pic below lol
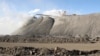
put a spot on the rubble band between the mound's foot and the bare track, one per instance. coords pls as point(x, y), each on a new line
point(47, 39)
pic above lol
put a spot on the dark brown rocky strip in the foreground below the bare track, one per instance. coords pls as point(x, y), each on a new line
point(31, 51)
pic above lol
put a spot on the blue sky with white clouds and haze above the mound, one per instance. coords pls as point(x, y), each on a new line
point(13, 13)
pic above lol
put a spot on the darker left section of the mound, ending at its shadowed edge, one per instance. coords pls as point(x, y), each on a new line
point(40, 26)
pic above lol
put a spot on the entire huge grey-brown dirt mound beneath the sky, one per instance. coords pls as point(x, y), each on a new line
point(75, 25)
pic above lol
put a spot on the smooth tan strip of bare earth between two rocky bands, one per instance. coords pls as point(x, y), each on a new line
point(68, 46)
